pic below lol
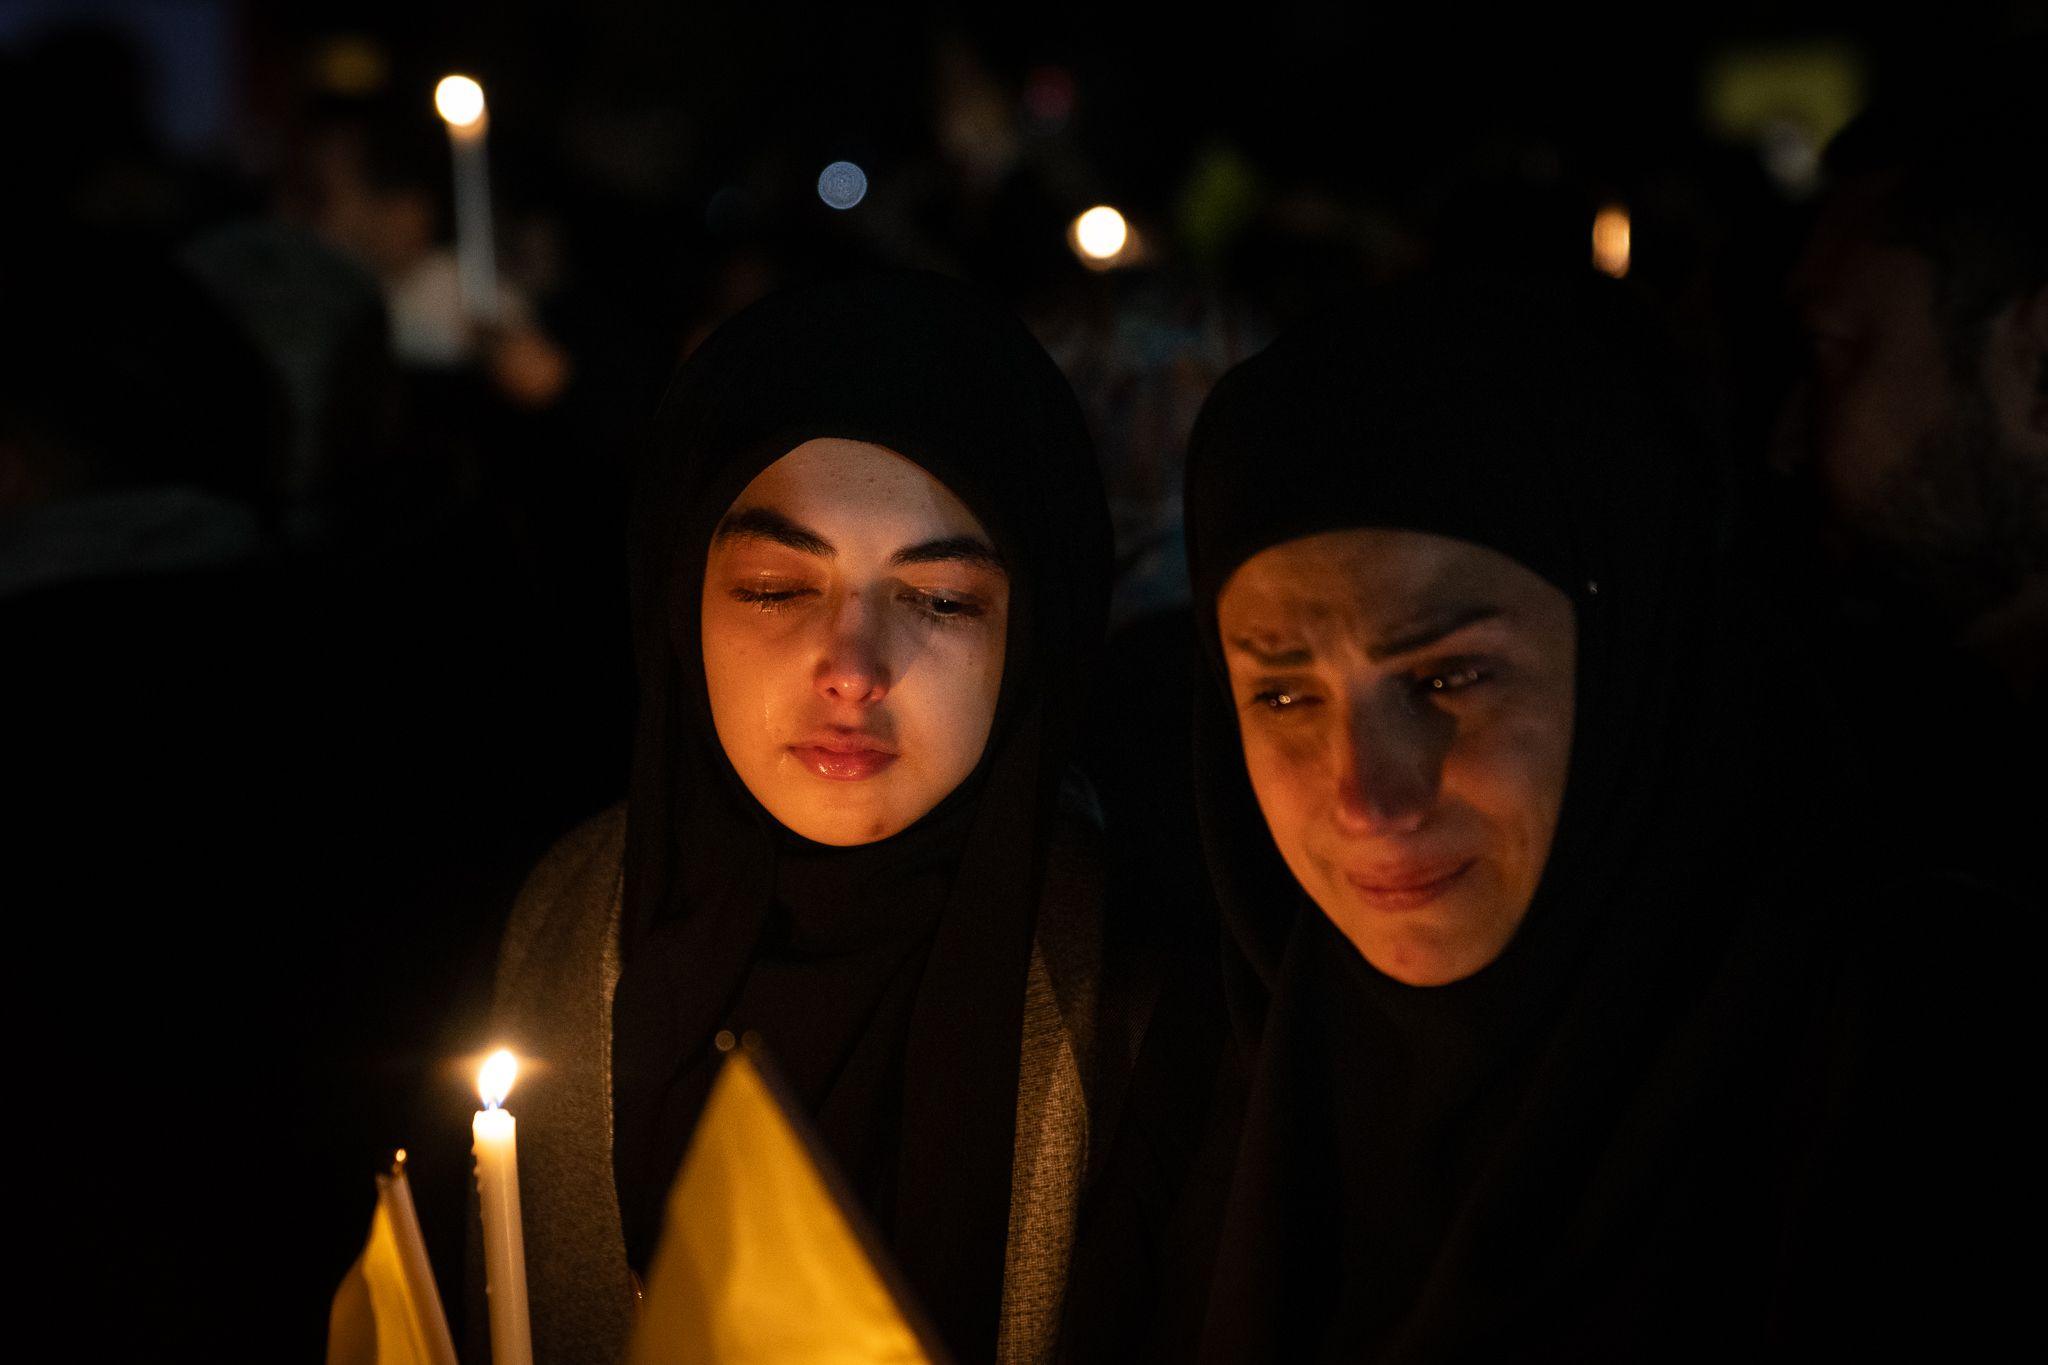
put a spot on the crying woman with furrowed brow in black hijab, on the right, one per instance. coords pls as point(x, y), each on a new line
point(1558, 1037)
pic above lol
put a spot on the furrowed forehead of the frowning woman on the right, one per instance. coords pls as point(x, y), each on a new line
point(1373, 578)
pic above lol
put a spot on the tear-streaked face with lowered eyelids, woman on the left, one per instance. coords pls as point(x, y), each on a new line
point(853, 625)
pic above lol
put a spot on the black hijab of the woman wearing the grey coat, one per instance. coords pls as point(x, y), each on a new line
point(892, 975)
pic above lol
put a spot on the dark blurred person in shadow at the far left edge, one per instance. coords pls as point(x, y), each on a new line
point(161, 932)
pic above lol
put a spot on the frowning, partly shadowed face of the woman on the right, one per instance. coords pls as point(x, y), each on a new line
point(1406, 705)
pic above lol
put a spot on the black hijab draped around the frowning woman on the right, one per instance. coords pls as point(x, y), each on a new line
point(1566, 1153)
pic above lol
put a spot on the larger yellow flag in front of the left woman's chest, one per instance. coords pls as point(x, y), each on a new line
point(757, 1260)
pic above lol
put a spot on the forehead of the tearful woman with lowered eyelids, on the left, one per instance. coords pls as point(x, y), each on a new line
point(843, 486)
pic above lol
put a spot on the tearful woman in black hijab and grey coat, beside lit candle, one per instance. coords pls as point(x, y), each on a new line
point(820, 846)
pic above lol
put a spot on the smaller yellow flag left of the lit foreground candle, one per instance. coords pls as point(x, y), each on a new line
point(388, 1311)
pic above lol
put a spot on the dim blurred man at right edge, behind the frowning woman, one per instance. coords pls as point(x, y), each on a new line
point(1922, 439)
